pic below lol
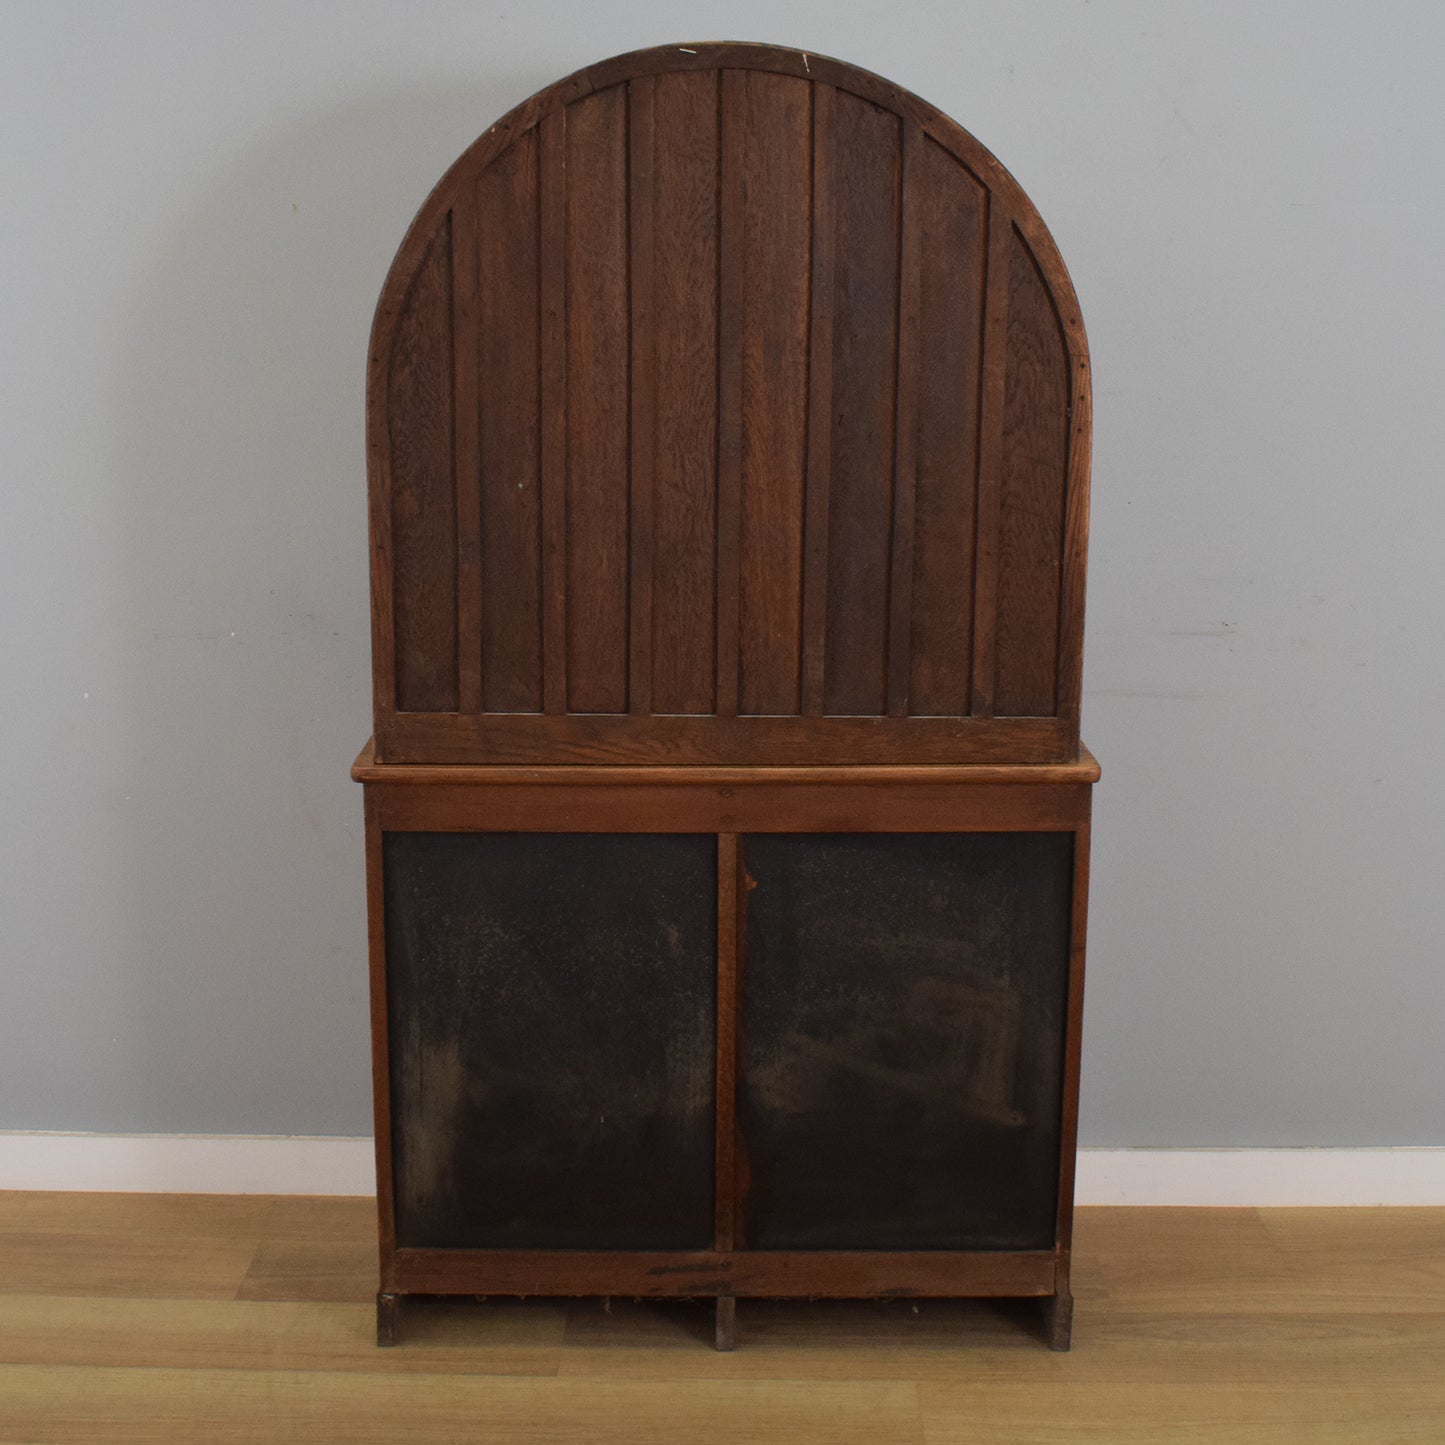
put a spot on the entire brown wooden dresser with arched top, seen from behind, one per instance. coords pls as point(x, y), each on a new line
point(726, 814)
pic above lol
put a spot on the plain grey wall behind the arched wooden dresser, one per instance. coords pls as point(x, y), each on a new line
point(200, 207)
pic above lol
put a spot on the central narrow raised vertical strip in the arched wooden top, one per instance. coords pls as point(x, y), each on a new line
point(733, 99)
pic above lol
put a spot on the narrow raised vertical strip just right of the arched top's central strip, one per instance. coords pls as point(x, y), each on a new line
point(820, 404)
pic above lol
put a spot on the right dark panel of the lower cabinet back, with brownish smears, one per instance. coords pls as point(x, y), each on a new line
point(902, 1022)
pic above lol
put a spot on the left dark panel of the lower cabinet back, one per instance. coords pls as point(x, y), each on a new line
point(551, 1017)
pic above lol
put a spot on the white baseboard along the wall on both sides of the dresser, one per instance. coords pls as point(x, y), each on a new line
point(242, 1164)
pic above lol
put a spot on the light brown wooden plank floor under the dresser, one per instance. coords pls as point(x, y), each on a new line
point(219, 1319)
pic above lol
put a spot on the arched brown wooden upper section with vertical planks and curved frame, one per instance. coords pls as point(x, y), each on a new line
point(728, 405)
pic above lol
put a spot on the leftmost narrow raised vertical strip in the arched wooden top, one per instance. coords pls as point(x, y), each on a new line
point(467, 449)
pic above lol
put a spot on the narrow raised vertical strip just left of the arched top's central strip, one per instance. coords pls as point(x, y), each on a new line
point(642, 385)
